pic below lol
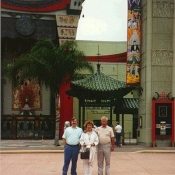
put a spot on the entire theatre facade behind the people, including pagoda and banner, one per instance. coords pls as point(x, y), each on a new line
point(133, 82)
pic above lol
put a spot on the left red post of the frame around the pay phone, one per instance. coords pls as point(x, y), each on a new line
point(153, 124)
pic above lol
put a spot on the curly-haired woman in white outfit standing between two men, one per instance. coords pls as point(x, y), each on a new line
point(89, 140)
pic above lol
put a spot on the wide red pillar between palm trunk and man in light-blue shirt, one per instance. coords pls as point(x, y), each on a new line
point(66, 107)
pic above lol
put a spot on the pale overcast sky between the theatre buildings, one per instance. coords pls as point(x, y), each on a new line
point(104, 20)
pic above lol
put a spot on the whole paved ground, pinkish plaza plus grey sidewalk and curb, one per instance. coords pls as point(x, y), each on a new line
point(43, 158)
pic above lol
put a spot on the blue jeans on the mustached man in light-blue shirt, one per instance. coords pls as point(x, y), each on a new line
point(70, 154)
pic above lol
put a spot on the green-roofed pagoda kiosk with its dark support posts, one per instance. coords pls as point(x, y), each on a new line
point(98, 90)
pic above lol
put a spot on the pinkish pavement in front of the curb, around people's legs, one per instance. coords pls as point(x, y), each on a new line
point(122, 163)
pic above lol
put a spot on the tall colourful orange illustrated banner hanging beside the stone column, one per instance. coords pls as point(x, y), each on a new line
point(133, 42)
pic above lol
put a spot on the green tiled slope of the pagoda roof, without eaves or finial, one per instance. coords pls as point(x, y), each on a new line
point(99, 82)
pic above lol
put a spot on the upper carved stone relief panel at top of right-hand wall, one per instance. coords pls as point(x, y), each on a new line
point(163, 9)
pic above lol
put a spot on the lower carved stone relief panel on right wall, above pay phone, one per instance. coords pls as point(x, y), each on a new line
point(162, 57)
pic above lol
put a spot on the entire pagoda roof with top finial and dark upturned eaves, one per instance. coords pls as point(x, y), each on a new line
point(99, 86)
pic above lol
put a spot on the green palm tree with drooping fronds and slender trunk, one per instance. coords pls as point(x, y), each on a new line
point(52, 65)
